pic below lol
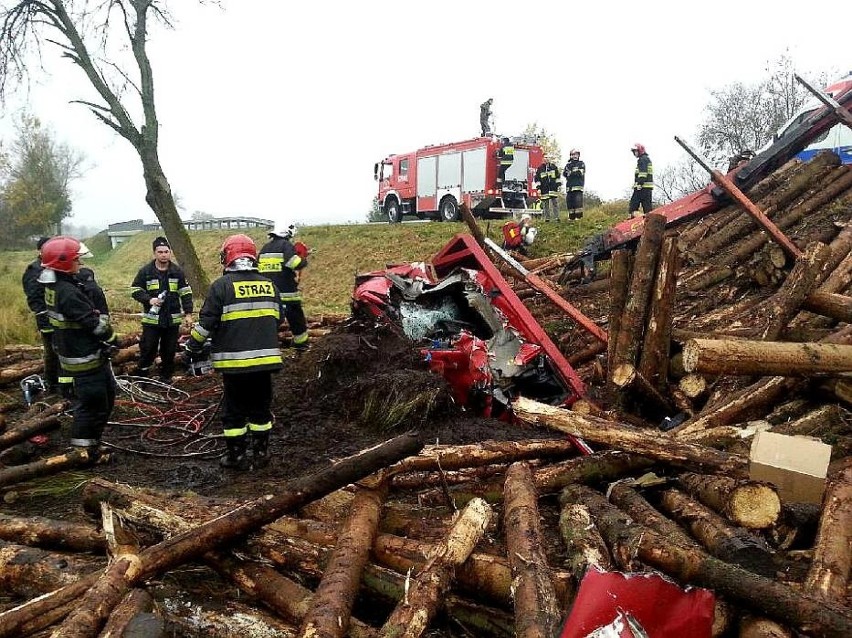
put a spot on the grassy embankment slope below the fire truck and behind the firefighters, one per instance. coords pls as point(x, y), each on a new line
point(339, 253)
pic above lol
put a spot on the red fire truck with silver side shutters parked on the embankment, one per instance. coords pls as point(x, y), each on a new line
point(433, 181)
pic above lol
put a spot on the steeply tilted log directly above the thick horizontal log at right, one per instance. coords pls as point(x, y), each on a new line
point(807, 274)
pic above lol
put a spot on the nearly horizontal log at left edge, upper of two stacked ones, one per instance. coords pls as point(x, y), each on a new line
point(38, 531)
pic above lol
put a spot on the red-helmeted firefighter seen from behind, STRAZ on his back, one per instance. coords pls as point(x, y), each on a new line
point(241, 316)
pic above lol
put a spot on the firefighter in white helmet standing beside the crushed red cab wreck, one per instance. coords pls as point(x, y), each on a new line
point(282, 262)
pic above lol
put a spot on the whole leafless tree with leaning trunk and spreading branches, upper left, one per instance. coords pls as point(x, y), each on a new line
point(93, 35)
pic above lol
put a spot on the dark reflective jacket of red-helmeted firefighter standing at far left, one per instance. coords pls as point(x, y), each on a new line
point(78, 327)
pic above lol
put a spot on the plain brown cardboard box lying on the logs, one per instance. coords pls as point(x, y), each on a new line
point(796, 465)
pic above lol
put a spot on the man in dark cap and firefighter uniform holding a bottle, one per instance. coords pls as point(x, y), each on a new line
point(160, 286)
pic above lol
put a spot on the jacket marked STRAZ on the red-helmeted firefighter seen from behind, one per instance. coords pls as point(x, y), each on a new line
point(241, 316)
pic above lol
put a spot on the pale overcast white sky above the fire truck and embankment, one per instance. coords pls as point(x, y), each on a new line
point(280, 109)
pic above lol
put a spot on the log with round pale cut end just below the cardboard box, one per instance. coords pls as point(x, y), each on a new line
point(746, 503)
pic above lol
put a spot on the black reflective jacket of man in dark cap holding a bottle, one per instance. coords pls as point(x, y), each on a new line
point(151, 282)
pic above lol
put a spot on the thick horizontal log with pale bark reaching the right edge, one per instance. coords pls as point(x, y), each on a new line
point(766, 358)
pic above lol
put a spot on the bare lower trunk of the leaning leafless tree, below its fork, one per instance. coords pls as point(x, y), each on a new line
point(159, 197)
